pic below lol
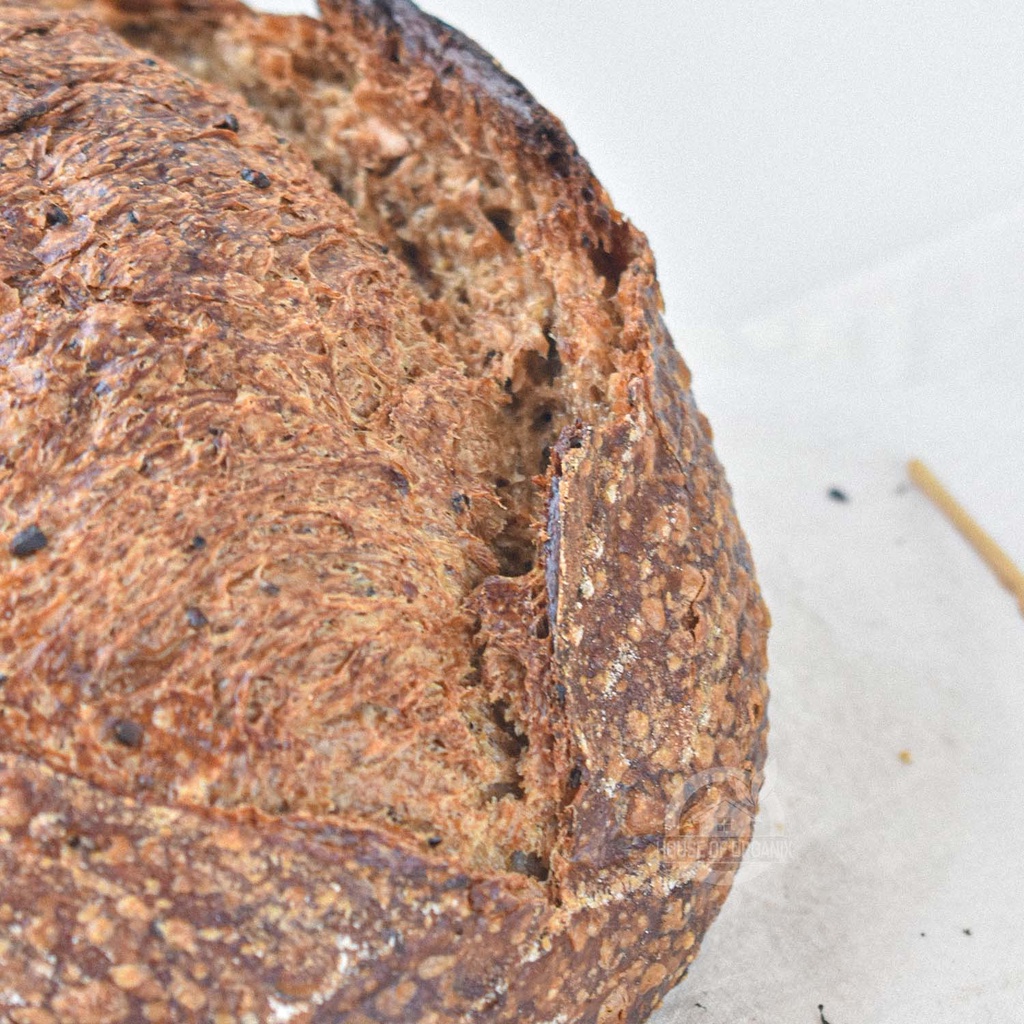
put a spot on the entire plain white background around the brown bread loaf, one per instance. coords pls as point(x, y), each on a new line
point(835, 192)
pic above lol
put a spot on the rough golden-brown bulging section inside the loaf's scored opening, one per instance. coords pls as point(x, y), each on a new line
point(241, 365)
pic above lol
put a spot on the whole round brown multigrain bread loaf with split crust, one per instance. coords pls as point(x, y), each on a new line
point(377, 638)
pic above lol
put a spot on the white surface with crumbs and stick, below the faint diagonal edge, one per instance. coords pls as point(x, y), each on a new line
point(889, 635)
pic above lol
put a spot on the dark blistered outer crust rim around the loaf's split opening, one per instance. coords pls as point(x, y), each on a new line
point(118, 908)
